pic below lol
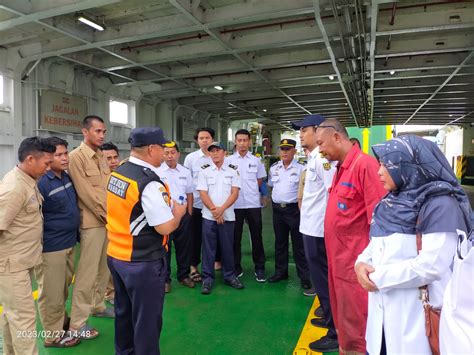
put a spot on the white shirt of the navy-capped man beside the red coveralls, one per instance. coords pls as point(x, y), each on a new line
point(319, 176)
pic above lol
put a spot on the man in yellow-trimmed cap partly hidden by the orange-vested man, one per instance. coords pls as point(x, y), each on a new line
point(180, 182)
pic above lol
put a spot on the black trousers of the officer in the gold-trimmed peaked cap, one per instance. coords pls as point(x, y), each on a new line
point(286, 220)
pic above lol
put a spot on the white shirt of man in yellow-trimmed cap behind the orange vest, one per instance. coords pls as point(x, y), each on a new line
point(179, 180)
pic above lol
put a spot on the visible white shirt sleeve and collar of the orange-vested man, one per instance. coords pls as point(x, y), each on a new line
point(154, 205)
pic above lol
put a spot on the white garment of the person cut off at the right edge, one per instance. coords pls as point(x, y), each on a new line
point(457, 315)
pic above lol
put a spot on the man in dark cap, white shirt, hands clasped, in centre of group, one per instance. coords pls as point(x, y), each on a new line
point(218, 185)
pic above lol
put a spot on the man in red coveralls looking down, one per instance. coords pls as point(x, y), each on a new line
point(355, 191)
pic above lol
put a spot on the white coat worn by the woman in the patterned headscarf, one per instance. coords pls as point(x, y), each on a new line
point(399, 271)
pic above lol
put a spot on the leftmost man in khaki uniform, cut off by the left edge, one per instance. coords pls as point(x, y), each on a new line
point(21, 228)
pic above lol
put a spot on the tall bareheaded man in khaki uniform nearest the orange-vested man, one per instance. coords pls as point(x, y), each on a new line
point(89, 172)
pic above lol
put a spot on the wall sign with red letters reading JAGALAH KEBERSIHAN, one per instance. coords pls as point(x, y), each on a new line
point(61, 112)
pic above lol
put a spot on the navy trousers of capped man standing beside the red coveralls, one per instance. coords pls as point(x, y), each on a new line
point(317, 259)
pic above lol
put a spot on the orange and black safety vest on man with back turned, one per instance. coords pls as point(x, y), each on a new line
point(130, 236)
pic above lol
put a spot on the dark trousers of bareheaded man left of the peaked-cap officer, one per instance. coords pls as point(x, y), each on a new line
point(253, 216)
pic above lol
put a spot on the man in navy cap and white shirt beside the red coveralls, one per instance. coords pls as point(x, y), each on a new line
point(319, 175)
